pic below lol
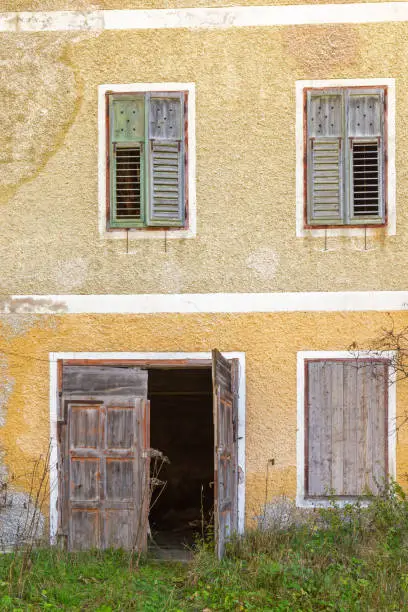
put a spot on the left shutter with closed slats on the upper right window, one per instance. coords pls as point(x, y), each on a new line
point(325, 167)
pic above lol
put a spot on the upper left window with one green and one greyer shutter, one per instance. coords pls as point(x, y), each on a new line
point(147, 157)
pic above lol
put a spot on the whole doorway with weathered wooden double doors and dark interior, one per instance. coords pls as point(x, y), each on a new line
point(116, 390)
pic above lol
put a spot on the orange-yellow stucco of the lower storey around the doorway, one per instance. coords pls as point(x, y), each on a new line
point(270, 341)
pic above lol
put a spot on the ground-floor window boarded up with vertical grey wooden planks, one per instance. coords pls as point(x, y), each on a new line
point(345, 427)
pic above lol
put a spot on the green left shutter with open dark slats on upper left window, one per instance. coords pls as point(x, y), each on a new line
point(127, 160)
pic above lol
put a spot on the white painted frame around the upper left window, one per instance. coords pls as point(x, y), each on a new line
point(141, 233)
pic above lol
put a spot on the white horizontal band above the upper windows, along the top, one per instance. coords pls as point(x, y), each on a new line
point(228, 17)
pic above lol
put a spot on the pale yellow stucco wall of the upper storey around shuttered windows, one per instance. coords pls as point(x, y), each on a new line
point(245, 85)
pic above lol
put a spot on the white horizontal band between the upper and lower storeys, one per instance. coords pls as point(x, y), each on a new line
point(190, 303)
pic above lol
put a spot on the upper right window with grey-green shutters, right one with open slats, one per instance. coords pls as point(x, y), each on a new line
point(346, 156)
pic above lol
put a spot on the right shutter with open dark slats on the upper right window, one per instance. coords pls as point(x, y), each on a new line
point(365, 130)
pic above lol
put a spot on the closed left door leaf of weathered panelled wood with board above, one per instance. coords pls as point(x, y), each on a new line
point(102, 460)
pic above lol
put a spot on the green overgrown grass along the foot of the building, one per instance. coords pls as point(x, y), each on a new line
point(336, 559)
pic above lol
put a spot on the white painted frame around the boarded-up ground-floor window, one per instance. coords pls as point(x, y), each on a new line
point(302, 356)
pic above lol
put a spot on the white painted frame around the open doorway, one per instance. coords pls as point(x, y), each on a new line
point(115, 356)
